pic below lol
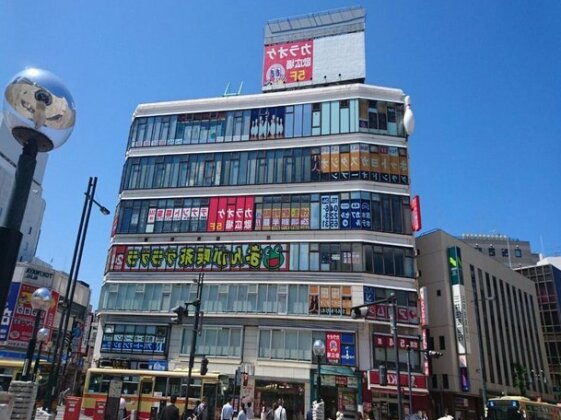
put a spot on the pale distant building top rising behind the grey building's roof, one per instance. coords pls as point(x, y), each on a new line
point(512, 252)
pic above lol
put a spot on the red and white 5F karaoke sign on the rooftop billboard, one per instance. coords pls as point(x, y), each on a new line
point(288, 64)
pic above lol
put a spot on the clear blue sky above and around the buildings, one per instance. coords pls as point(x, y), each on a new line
point(484, 78)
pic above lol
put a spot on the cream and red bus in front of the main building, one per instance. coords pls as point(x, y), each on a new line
point(147, 391)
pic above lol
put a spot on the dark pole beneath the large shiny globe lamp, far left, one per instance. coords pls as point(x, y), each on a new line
point(10, 235)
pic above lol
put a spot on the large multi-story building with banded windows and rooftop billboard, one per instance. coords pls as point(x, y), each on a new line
point(295, 204)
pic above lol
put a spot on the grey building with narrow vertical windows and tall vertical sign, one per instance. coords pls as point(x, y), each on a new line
point(484, 318)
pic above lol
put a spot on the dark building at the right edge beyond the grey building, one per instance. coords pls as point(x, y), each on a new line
point(547, 278)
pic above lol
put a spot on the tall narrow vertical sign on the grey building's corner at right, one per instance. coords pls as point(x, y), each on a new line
point(455, 268)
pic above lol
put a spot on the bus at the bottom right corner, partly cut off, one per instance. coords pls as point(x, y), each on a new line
point(521, 408)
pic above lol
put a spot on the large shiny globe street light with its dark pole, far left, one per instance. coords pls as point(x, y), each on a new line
point(40, 113)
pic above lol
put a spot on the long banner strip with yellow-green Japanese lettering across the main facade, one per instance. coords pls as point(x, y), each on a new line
point(187, 257)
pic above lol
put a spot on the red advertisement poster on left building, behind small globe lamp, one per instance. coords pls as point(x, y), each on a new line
point(23, 321)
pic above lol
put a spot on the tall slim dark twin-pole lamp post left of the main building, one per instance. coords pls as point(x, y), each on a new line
point(89, 200)
